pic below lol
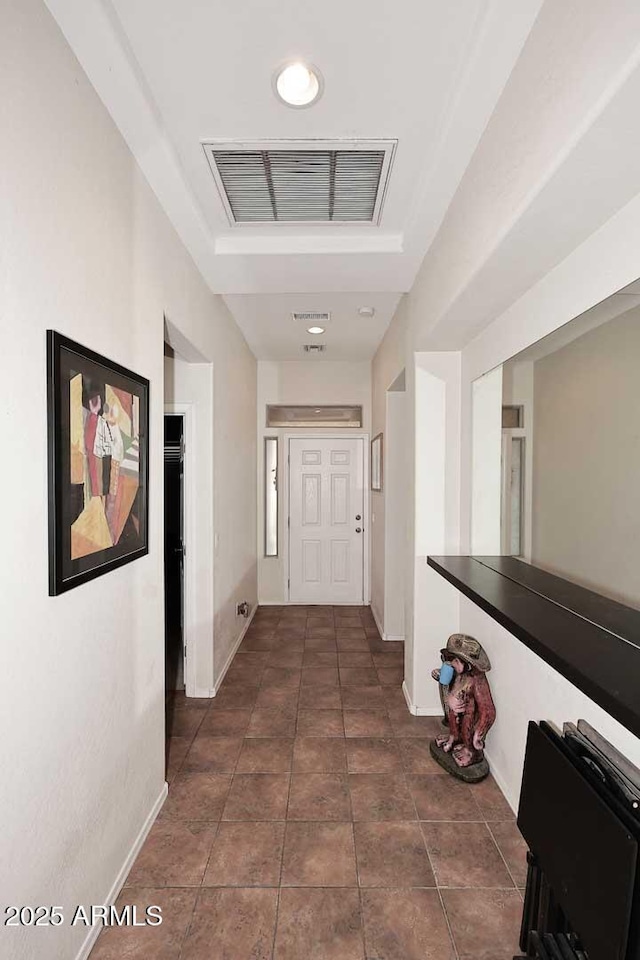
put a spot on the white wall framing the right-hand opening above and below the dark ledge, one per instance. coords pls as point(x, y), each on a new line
point(524, 686)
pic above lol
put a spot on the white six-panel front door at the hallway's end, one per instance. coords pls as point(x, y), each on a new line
point(326, 520)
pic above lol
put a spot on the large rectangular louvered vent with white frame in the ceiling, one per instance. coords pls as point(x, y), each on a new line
point(301, 181)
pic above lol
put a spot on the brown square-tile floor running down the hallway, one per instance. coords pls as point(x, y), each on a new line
point(306, 819)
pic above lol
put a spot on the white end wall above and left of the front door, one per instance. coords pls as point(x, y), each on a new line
point(304, 382)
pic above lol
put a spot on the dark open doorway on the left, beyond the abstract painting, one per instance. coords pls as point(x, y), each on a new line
point(174, 552)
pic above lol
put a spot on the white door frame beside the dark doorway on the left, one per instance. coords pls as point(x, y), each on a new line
point(186, 411)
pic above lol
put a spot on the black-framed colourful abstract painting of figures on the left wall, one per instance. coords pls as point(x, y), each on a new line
point(98, 451)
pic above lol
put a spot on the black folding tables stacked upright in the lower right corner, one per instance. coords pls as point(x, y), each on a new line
point(583, 886)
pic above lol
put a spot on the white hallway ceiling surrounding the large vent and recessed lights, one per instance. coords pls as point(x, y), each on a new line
point(175, 73)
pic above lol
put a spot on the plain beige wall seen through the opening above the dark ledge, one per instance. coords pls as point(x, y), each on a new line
point(586, 460)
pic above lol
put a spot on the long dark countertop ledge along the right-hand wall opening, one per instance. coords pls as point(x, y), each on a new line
point(592, 641)
